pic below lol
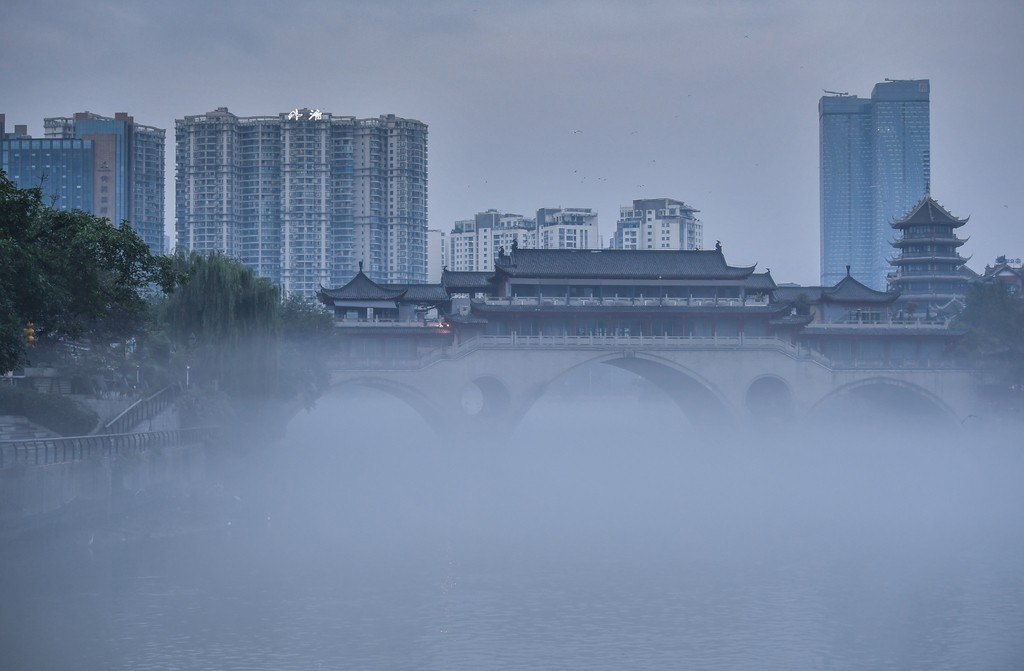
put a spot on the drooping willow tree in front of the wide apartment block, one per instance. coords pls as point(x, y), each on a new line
point(223, 324)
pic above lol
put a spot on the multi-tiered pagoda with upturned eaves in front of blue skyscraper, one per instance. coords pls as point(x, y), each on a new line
point(930, 273)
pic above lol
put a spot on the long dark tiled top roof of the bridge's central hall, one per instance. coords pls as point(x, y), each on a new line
point(620, 265)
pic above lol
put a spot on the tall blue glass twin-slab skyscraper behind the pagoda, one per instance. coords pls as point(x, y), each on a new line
point(876, 165)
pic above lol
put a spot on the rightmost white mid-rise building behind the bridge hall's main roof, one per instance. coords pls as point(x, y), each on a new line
point(658, 224)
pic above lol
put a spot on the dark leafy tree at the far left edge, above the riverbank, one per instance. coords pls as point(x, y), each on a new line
point(69, 273)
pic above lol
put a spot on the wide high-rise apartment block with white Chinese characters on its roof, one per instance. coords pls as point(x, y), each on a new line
point(306, 198)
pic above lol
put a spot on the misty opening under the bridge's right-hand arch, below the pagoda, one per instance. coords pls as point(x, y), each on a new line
point(884, 400)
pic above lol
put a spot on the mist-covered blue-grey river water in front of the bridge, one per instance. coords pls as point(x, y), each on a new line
point(600, 536)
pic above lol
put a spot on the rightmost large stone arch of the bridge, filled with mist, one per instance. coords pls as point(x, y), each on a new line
point(883, 396)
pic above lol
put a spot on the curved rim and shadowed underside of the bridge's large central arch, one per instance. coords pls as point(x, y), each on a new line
point(697, 398)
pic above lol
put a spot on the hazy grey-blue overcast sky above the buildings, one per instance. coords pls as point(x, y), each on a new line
point(567, 103)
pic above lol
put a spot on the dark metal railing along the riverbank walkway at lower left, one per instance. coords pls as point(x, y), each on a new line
point(42, 452)
